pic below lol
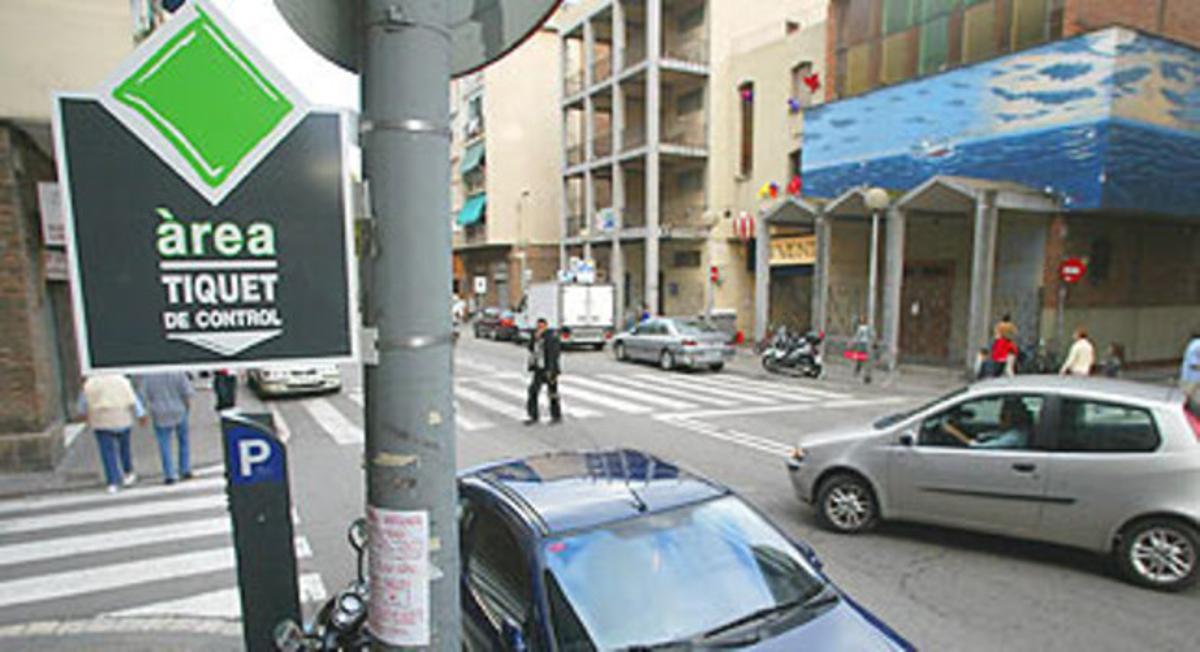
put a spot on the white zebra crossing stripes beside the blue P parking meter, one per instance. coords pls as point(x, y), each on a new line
point(69, 547)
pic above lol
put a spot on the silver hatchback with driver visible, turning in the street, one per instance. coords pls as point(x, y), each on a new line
point(1111, 466)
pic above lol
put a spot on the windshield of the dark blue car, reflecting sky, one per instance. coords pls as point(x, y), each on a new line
point(670, 576)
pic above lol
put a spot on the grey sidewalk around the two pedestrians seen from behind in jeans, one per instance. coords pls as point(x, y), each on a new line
point(81, 468)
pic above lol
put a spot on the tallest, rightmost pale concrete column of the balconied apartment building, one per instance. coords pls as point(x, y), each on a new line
point(653, 129)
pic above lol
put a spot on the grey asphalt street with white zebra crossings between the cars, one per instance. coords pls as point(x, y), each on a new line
point(157, 561)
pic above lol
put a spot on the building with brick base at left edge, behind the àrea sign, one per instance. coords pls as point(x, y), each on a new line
point(45, 46)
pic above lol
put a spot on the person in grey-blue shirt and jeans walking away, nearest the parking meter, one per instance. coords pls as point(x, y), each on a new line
point(169, 397)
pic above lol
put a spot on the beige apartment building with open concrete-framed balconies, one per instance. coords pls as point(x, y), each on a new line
point(651, 174)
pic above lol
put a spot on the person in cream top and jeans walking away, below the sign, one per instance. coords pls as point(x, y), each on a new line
point(111, 406)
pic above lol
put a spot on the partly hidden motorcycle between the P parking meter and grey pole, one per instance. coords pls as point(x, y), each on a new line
point(341, 624)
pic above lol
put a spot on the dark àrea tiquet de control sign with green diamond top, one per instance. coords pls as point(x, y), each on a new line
point(207, 210)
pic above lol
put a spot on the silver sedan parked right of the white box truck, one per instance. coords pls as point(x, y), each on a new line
point(675, 343)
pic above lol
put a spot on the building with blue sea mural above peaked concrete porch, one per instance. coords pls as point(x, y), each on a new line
point(1010, 136)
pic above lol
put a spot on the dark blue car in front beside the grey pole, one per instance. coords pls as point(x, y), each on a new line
point(621, 551)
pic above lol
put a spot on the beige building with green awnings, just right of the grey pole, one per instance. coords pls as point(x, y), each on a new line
point(505, 189)
